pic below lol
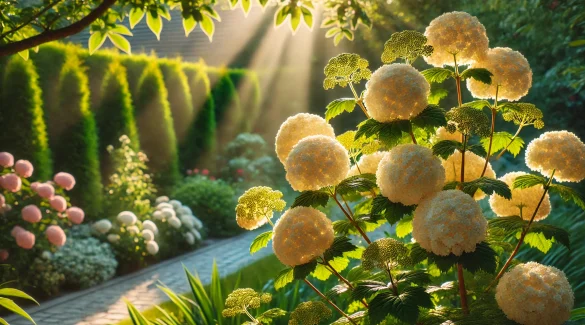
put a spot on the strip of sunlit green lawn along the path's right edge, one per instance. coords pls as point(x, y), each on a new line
point(254, 275)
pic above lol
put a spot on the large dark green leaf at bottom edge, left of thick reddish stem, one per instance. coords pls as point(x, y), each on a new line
point(404, 307)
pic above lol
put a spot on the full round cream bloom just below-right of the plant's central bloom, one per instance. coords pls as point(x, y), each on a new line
point(450, 222)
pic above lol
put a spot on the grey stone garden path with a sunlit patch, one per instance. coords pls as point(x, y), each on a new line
point(104, 304)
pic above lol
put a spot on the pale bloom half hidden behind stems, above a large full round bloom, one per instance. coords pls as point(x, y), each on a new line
point(473, 168)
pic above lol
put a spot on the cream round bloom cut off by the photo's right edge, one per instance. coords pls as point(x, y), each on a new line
point(559, 150)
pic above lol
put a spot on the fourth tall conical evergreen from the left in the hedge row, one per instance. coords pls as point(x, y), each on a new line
point(155, 127)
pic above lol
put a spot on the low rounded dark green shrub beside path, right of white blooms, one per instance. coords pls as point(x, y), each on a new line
point(212, 201)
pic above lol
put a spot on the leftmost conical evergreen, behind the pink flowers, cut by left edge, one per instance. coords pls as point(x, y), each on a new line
point(22, 127)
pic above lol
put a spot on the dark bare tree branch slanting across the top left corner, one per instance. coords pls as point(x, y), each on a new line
point(57, 34)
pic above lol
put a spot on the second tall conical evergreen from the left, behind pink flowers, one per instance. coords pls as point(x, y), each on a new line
point(76, 142)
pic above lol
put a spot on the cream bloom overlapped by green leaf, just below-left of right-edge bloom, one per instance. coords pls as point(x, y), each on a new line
point(523, 202)
